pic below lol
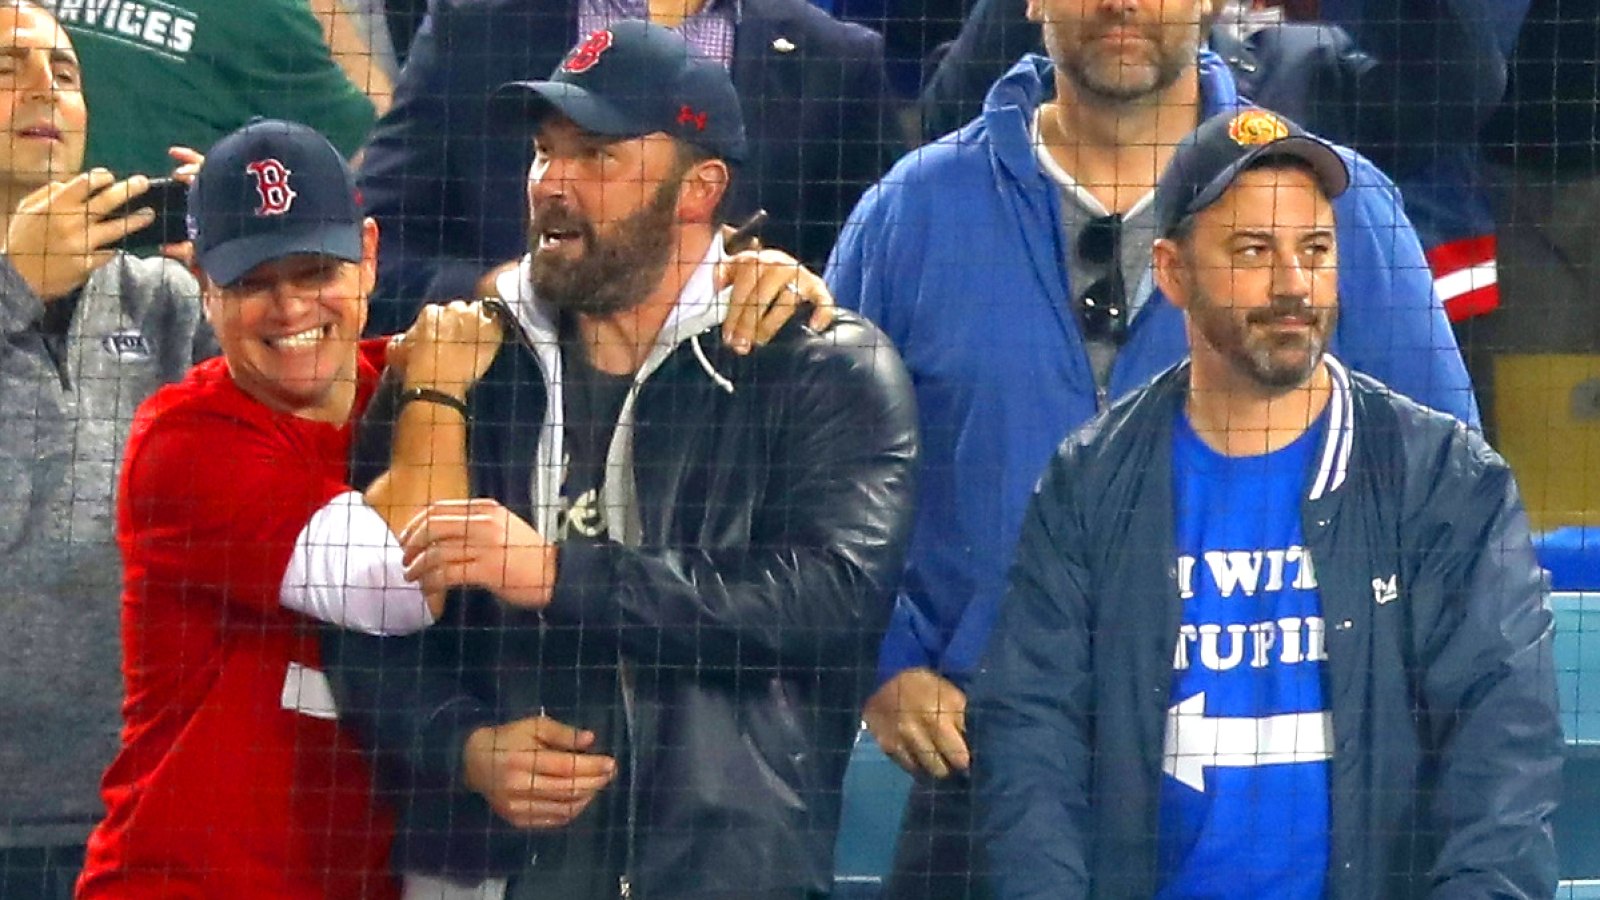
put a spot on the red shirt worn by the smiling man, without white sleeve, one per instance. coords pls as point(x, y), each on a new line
point(223, 787)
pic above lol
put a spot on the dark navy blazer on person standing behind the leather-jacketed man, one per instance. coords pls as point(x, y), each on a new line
point(447, 185)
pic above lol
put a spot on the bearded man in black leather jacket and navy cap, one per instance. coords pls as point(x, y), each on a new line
point(668, 598)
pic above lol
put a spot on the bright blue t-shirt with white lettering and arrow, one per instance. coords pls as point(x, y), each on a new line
point(1244, 808)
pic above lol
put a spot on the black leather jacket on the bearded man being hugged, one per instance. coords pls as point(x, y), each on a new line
point(730, 635)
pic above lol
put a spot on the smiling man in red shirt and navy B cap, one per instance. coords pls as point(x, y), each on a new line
point(234, 776)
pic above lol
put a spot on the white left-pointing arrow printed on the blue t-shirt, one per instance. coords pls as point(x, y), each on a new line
point(1196, 741)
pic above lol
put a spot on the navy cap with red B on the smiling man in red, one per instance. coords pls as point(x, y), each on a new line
point(268, 191)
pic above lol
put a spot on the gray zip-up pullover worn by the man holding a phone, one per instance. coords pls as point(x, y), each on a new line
point(63, 422)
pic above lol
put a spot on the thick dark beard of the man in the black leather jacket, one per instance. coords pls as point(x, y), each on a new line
point(614, 275)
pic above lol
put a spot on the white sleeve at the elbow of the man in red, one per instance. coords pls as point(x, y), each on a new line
point(348, 571)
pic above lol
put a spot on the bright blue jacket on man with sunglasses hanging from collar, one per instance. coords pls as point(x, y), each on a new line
point(959, 257)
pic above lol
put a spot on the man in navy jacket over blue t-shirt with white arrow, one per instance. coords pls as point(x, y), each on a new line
point(1177, 702)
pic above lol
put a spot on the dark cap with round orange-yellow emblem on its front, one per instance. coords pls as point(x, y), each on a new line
point(1210, 159)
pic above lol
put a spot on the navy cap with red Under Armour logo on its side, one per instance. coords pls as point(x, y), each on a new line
point(634, 79)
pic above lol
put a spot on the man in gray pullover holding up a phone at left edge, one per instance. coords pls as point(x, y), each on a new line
point(86, 335)
